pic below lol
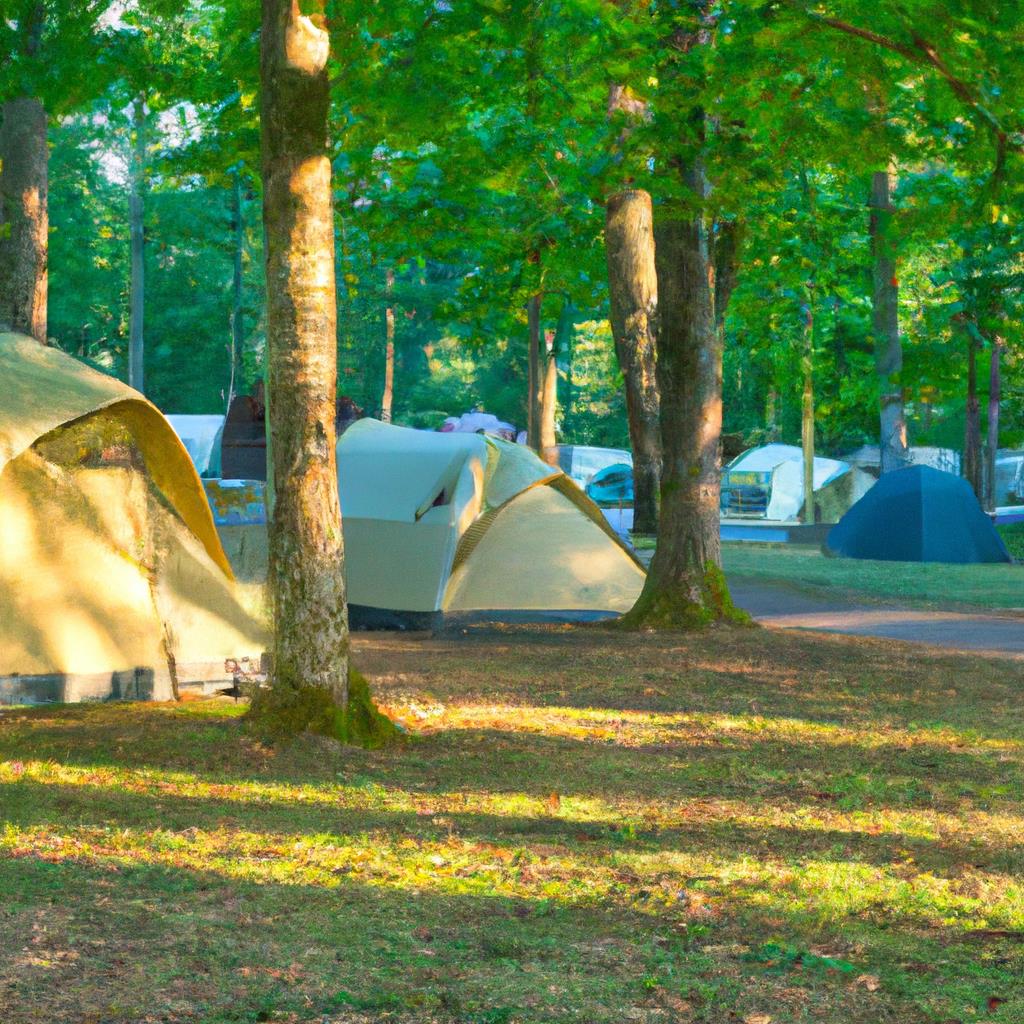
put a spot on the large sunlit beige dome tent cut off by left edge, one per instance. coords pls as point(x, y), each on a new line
point(112, 576)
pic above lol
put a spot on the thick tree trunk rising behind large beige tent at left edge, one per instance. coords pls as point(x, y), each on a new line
point(24, 217)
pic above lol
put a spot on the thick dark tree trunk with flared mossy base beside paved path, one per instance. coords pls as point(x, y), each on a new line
point(686, 586)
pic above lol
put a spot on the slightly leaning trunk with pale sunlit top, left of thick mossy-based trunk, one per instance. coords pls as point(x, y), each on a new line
point(629, 246)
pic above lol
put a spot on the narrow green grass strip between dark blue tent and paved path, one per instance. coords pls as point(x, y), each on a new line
point(994, 586)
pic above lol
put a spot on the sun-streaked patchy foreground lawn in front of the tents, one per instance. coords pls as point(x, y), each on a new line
point(743, 826)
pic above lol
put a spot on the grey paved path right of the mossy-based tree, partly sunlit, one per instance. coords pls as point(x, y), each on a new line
point(790, 608)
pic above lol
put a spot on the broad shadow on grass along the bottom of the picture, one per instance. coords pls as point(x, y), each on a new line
point(120, 943)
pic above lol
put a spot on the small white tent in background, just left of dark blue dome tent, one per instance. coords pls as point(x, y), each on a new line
point(769, 482)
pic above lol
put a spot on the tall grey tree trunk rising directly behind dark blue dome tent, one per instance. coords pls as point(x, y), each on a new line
point(885, 322)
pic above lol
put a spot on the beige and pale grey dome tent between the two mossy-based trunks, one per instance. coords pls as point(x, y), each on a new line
point(451, 523)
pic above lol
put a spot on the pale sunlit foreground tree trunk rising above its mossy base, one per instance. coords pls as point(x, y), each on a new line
point(308, 572)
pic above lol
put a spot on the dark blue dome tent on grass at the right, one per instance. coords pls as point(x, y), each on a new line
point(919, 515)
